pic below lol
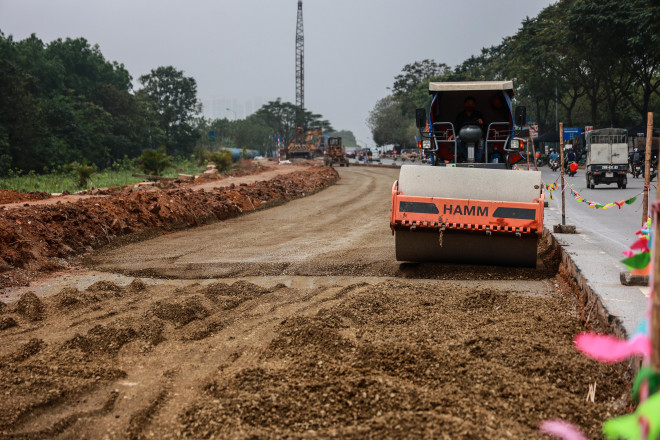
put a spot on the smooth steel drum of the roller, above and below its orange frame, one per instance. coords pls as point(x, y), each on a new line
point(468, 247)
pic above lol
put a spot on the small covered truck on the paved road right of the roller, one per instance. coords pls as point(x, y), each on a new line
point(607, 157)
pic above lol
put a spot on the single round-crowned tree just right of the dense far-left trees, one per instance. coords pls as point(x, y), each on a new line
point(173, 97)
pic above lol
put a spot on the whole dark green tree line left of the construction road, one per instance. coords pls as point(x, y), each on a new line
point(62, 102)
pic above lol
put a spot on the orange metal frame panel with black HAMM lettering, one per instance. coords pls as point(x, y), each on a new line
point(467, 214)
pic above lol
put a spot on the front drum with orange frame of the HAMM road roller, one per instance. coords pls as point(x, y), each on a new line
point(465, 186)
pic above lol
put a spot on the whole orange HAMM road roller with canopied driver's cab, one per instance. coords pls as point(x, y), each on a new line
point(473, 205)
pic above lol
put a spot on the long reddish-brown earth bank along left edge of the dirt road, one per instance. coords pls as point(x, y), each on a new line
point(40, 238)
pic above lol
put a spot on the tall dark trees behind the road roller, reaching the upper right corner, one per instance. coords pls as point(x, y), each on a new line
point(597, 61)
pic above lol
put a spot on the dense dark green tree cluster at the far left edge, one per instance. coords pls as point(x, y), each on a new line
point(64, 102)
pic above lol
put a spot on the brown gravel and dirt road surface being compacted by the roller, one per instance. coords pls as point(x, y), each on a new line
point(296, 322)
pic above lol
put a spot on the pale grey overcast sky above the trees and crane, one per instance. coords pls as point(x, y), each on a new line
point(242, 52)
